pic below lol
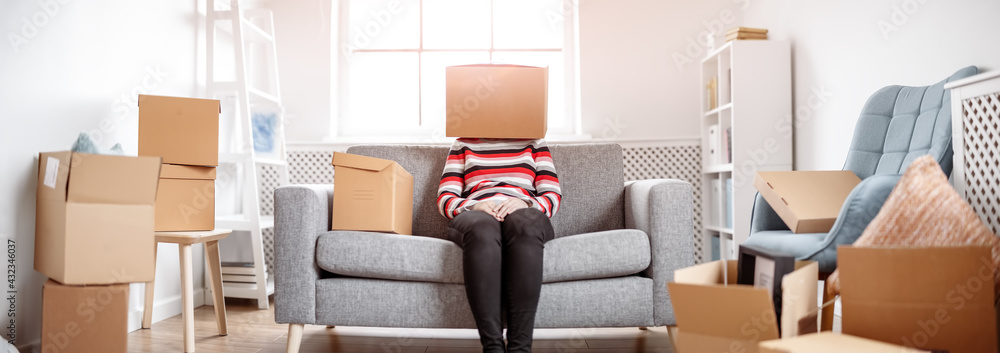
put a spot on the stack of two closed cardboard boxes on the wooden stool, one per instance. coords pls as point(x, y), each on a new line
point(185, 133)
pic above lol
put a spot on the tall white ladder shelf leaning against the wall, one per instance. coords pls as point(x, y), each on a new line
point(251, 31)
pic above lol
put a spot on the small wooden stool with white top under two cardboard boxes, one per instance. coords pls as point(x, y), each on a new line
point(184, 240)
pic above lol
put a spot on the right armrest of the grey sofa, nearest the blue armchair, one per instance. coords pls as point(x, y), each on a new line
point(664, 209)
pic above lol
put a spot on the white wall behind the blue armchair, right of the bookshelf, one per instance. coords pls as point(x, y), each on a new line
point(840, 52)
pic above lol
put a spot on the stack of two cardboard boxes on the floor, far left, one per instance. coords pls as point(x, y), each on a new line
point(93, 233)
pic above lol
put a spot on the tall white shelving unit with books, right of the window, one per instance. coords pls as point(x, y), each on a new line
point(752, 101)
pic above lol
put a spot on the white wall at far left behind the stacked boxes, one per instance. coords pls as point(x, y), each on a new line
point(80, 70)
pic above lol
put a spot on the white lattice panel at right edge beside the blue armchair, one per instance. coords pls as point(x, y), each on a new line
point(981, 156)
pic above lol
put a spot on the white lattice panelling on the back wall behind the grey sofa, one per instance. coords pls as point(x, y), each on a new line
point(659, 162)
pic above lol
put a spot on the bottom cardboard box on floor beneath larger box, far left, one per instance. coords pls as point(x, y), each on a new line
point(84, 319)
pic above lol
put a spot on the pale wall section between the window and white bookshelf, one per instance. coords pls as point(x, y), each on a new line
point(639, 64)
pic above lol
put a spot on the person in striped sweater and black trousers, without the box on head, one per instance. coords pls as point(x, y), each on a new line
point(499, 195)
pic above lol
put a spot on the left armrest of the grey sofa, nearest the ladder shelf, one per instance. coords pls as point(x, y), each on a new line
point(301, 213)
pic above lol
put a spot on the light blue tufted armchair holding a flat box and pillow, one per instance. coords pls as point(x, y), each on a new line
point(897, 125)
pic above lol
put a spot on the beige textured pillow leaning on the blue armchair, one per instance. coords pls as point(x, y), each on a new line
point(924, 210)
